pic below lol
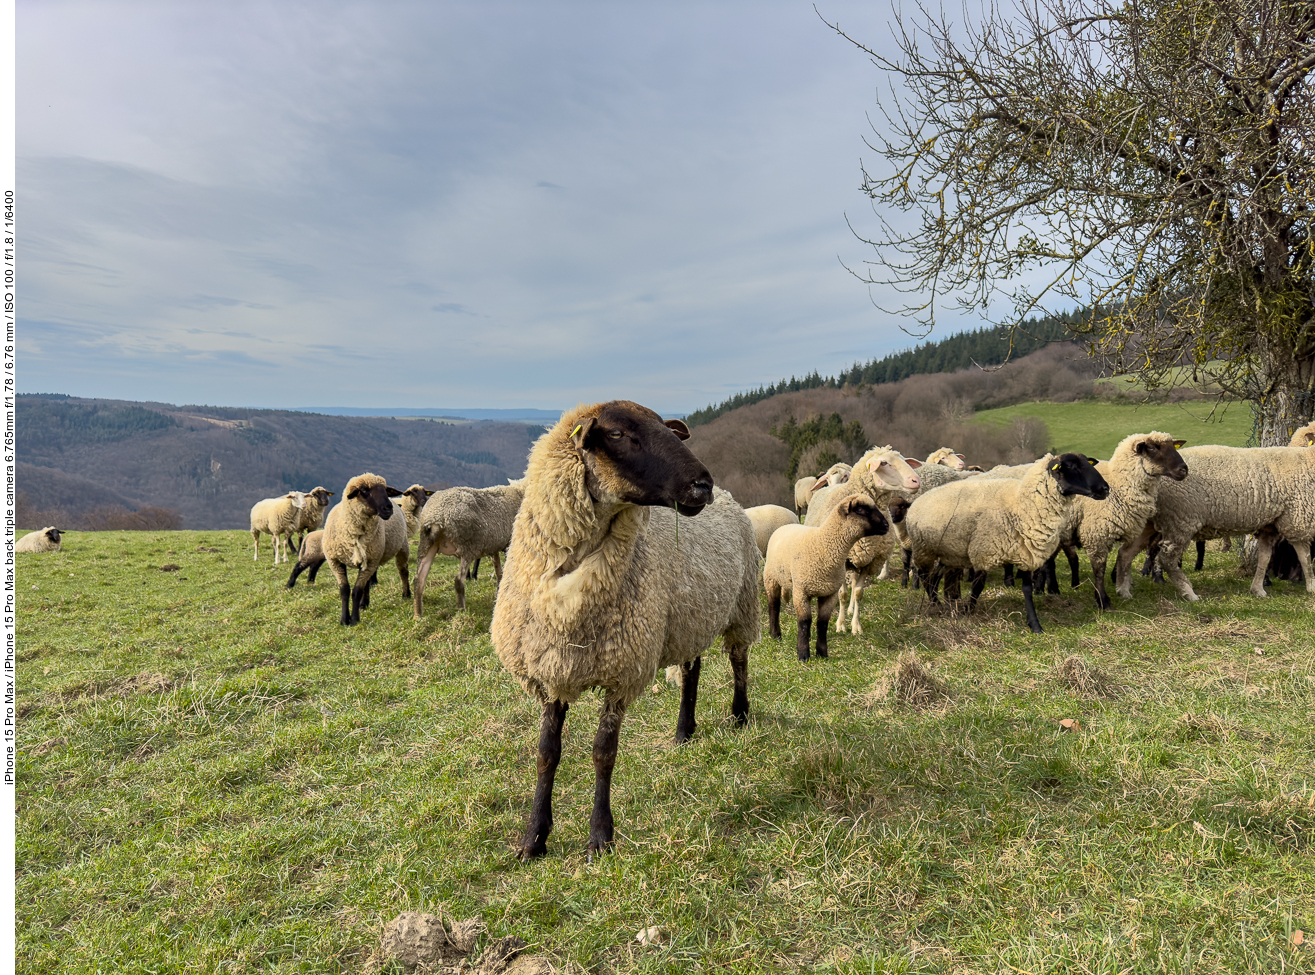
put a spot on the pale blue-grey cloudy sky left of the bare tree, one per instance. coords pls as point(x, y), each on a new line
point(444, 205)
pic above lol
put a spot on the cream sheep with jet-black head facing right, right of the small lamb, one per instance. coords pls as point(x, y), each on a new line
point(982, 523)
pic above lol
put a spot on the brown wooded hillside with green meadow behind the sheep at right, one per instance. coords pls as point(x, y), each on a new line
point(1007, 415)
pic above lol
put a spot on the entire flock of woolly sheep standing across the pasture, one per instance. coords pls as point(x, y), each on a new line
point(611, 577)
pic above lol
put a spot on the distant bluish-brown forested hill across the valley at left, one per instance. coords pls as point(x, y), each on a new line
point(112, 464)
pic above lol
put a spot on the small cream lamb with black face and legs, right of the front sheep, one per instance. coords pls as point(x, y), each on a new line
point(811, 564)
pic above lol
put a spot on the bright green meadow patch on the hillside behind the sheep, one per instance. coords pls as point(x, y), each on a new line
point(1096, 427)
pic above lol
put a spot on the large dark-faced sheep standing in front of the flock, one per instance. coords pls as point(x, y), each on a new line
point(603, 586)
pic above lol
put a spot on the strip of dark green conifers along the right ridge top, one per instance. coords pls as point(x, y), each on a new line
point(987, 347)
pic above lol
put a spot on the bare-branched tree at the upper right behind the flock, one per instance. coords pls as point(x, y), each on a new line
point(1150, 160)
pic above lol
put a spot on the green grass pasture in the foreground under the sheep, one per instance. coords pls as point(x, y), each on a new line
point(216, 777)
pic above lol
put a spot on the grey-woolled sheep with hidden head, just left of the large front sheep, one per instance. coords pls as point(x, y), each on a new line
point(469, 524)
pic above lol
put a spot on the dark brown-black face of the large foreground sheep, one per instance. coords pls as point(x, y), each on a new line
point(633, 456)
